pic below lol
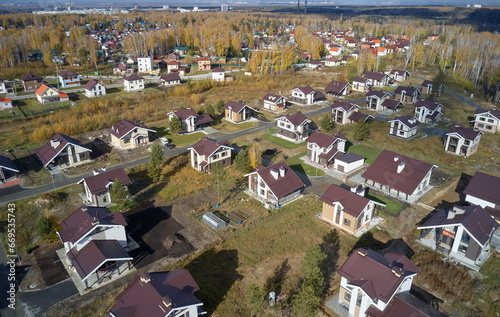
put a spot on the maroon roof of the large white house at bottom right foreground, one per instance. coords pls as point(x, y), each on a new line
point(379, 276)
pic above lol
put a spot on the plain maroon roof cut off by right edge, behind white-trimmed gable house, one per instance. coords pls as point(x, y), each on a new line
point(485, 187)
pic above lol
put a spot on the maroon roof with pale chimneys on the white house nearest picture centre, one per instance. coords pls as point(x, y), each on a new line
point(284, 185)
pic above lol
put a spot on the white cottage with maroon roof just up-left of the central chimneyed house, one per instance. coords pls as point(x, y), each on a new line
point(206, 153)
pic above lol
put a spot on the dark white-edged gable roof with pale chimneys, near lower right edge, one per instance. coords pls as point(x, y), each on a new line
point(479, 223)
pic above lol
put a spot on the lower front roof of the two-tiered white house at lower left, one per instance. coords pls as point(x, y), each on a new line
point(94, 254)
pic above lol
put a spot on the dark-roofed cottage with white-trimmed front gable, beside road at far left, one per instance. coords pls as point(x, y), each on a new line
point(63, 150)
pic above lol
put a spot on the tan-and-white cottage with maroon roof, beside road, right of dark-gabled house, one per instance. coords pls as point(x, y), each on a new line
point(128, 135)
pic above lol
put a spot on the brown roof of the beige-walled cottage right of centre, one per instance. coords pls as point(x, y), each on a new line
point(352, 203)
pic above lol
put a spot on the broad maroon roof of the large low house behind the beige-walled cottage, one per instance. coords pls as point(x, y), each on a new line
point(384, 171)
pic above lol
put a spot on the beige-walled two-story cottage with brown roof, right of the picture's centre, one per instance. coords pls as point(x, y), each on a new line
point(347, 210)
